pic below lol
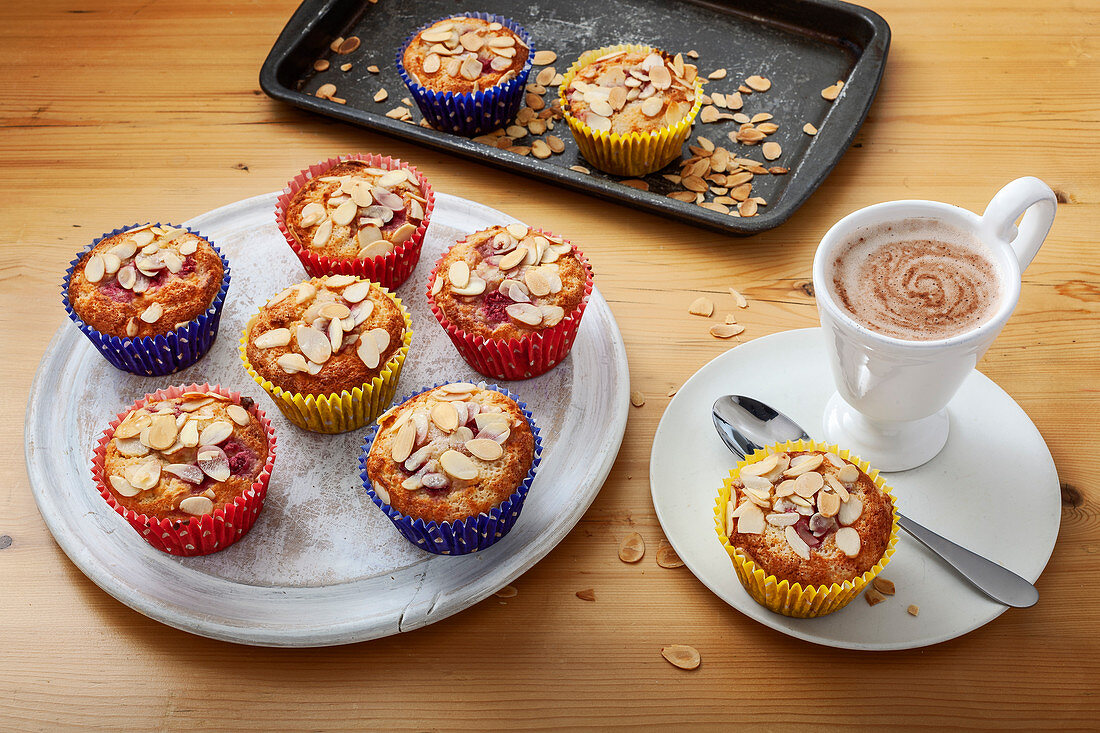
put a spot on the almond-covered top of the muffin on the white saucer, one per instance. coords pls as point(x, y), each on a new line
point(809, 518)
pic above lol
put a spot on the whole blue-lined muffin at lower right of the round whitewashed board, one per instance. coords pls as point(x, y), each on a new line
point(453, 465)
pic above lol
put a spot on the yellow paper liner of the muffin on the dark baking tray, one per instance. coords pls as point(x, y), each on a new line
point(636, 154)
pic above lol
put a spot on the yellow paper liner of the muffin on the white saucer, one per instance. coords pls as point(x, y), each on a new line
point(780, 596)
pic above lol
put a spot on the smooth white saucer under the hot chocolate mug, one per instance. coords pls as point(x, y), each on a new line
point(994, 490)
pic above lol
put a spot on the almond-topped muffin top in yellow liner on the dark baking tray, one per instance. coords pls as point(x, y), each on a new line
point(632, 92)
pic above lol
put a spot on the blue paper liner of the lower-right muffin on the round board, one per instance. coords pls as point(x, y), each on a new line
point(465, 537)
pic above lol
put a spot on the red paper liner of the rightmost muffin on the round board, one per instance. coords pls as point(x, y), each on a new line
point(518, 359)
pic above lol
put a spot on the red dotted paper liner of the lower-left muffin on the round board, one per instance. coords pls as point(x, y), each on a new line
point(205, 534)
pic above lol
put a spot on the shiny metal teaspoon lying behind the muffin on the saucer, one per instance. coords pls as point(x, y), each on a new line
point(746, 425)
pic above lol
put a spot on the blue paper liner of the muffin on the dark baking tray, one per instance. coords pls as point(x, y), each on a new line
point(476, 113)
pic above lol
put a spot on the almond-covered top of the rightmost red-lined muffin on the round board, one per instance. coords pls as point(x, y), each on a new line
point(509, 282)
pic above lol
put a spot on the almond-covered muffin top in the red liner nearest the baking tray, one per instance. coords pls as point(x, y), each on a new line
point(357, 211)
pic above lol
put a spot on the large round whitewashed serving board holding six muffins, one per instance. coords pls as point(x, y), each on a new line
point(323, 565)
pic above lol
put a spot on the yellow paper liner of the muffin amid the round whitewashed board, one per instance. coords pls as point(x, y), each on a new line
point(347, 411)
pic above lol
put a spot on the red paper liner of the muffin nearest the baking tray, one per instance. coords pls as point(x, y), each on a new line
point(389, 270)
